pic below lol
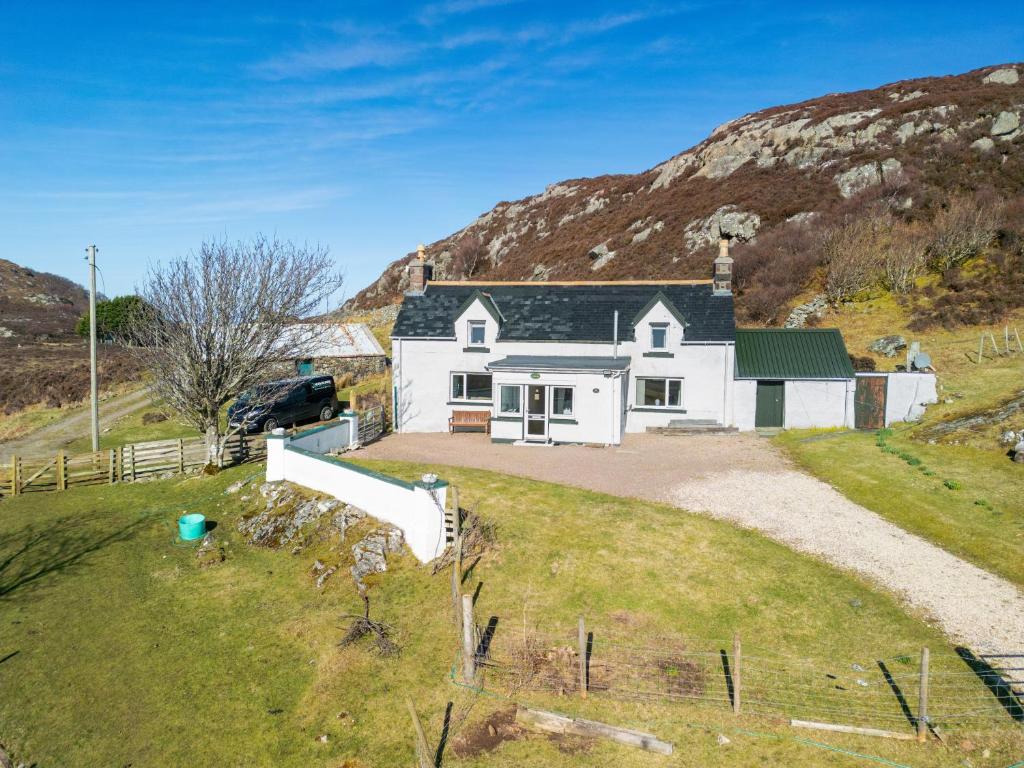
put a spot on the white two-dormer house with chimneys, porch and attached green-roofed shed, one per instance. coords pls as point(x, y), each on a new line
point(589, 362)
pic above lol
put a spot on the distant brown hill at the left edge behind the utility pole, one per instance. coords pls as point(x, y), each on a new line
point(38, 307)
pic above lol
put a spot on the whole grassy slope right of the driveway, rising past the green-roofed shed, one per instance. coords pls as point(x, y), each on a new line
point(992, 538)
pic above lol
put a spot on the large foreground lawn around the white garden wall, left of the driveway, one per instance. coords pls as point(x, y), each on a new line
point(117, 650)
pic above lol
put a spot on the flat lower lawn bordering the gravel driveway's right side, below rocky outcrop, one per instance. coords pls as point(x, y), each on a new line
point(983, 521)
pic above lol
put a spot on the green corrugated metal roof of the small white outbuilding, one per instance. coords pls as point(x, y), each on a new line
point(792, 354)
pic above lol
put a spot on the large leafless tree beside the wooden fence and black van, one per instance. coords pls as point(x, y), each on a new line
point(216, 323)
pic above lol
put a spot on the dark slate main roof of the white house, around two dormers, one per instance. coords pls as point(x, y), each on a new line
point(544, 312)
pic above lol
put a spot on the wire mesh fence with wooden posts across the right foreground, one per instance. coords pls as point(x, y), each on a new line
point(963, 692)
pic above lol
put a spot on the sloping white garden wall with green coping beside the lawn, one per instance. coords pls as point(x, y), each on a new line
point(414, 509)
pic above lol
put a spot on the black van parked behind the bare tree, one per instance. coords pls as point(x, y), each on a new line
point(285, 403)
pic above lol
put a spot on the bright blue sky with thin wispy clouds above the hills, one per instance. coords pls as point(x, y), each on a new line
point(369, 127)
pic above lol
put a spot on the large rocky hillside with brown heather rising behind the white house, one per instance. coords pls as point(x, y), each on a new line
point(774, 181)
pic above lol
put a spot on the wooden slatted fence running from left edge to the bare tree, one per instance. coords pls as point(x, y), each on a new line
point(125, 464)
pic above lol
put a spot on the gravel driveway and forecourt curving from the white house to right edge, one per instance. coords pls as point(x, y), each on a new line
point(747, 481)
